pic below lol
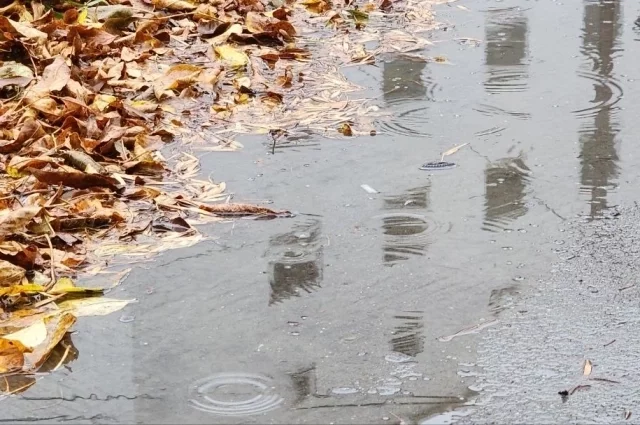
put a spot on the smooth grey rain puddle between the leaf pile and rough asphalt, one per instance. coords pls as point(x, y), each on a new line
point(363, 288)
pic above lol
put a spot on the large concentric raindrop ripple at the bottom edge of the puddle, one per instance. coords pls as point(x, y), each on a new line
point(234, 394)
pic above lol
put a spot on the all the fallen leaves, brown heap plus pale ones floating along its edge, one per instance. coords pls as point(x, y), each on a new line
point(92, 92)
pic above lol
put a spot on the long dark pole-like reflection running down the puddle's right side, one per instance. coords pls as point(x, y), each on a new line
point(598, 137)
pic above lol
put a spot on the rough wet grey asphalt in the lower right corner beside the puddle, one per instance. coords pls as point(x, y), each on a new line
point(587, 309)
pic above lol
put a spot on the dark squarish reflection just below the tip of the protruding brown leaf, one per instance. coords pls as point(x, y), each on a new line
point(299, 264)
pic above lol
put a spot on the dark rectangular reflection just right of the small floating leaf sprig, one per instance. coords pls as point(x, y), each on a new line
point(505, 183)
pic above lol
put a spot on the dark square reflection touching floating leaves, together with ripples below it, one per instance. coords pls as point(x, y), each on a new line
point(403, 87)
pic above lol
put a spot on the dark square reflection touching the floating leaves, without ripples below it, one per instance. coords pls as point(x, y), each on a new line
point(402, 80)
